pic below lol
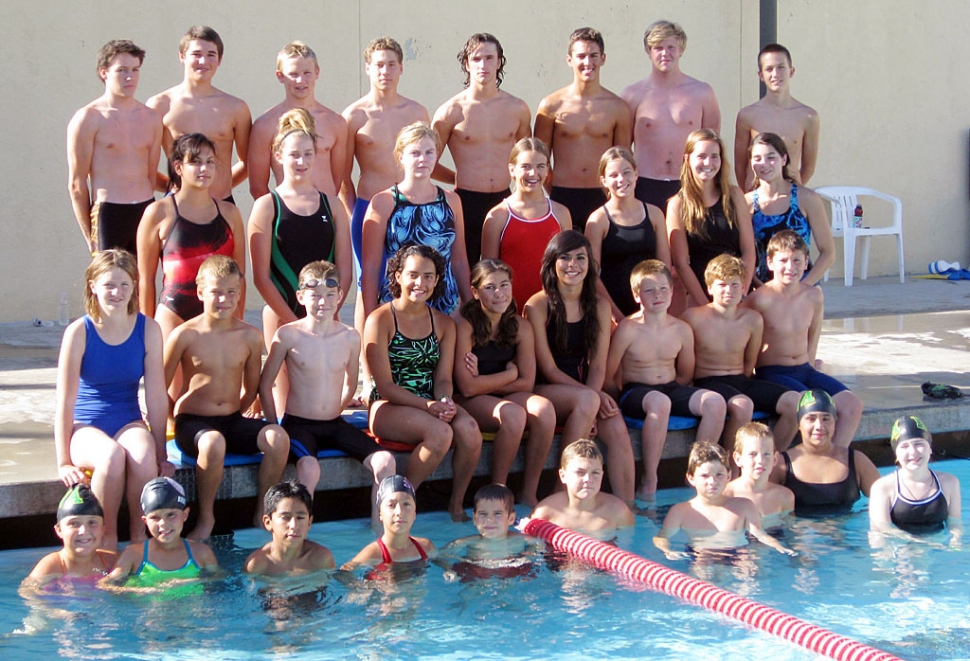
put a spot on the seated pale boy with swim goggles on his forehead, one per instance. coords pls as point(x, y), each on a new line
point(322, 358)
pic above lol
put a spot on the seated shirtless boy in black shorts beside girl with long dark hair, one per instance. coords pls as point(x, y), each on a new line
point(655, 352)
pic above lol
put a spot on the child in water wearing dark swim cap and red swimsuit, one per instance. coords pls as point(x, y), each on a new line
point(398, 510)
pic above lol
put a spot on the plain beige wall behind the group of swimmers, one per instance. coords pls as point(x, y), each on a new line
point(871, 68)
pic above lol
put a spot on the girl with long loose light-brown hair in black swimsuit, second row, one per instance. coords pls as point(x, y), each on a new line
point(708, 217)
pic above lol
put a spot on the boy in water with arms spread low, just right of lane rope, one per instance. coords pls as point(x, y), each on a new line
point(712, 520)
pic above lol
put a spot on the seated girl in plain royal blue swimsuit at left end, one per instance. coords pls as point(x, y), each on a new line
point(99, 430)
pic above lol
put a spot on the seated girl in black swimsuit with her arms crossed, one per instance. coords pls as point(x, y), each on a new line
point(495, 371)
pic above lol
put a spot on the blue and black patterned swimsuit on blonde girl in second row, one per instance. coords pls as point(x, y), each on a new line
point(431, 224)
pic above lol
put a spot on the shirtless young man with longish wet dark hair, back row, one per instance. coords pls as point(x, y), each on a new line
point(480, 125)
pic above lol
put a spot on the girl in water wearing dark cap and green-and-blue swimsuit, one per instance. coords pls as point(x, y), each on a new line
point(165, 556)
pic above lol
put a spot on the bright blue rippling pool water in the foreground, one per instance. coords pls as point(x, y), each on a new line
point(908, 598)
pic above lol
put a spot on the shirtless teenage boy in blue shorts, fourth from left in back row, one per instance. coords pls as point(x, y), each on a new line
point(373, 122)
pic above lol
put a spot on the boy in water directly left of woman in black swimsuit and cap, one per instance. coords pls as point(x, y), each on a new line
point(754, 453)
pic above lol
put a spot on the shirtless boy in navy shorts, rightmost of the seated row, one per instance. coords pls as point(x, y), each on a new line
point(793, 313)
